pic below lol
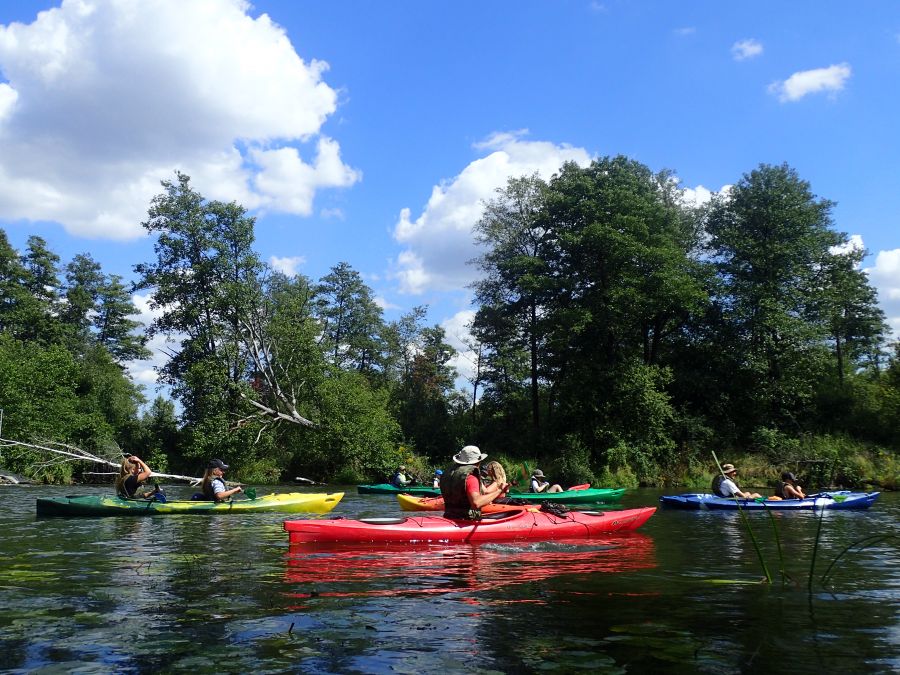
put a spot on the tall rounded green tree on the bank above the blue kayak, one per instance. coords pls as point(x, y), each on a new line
point(769, 236)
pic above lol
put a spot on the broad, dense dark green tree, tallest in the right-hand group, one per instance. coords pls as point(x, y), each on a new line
point(628, 285)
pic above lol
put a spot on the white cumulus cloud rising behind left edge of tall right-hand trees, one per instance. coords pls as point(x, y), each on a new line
point(439, 242)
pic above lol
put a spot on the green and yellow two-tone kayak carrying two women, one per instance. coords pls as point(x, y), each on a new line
point(96, 505)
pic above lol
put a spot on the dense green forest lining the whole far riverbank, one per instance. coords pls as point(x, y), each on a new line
point(621, 335)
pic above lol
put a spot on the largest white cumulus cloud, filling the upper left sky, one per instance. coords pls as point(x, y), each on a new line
point(101, 99)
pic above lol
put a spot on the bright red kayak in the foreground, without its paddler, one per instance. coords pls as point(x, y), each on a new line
point(506, 526)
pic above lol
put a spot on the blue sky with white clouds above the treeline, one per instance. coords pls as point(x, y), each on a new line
point(372, 132)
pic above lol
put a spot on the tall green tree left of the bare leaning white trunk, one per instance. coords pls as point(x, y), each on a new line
point(204, 279)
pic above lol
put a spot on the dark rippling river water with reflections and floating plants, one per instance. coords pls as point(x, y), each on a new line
point(227, 593)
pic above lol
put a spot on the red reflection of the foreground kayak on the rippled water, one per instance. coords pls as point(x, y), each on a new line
point(338, 570)
